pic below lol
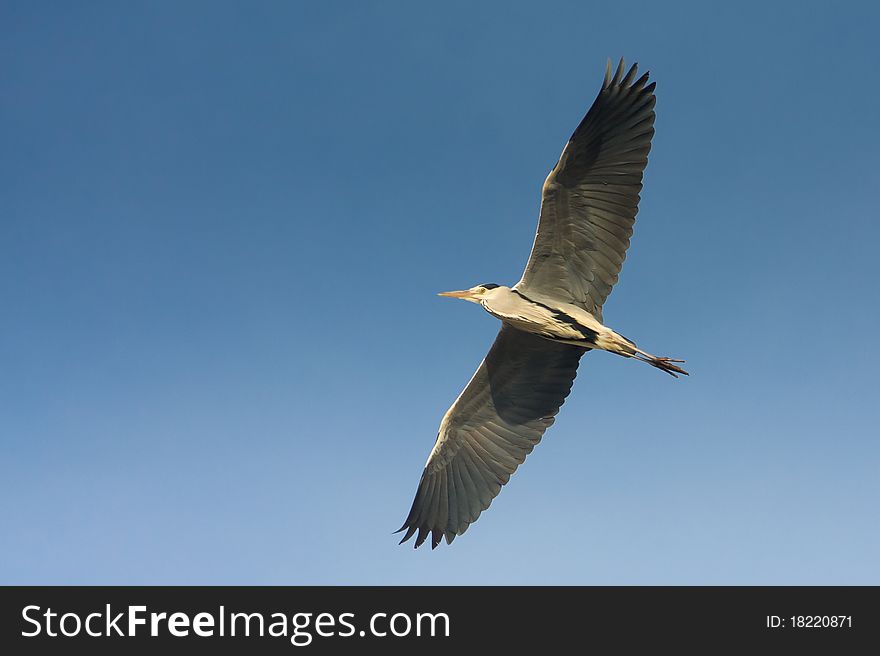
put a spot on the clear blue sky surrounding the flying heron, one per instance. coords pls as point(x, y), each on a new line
point(222, 231)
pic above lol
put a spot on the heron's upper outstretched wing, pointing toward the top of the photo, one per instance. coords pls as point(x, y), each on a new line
point(590, 199)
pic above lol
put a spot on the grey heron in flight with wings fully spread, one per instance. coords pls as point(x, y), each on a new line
point(550, 318)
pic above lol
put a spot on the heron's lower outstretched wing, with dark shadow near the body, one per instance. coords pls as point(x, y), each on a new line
point(488, 432)
